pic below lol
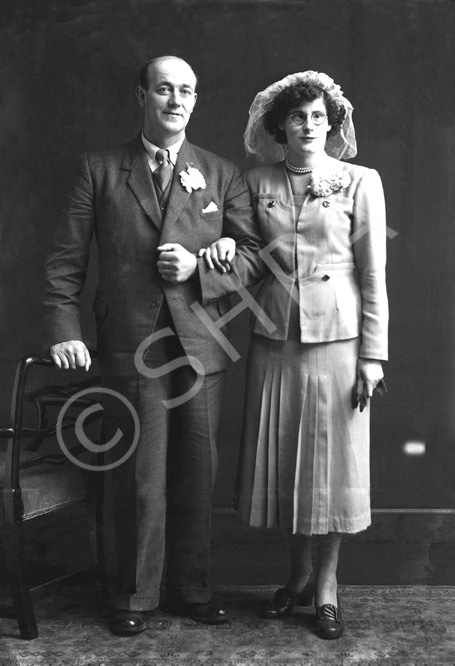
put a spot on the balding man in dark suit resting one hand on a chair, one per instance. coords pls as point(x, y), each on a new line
point(153, 203)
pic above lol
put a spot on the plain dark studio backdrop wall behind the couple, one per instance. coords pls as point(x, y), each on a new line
point(68, 69)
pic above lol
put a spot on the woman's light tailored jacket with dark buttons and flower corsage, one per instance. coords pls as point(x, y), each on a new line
point(329, 263)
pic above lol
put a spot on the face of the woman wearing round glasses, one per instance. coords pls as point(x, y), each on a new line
point(308, 138)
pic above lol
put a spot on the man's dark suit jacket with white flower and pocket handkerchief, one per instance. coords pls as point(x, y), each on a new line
point(113, 196)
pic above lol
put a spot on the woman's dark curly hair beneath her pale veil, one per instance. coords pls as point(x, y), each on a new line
point(291, 98)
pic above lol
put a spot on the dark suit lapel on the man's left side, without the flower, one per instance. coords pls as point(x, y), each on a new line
point(140, 181)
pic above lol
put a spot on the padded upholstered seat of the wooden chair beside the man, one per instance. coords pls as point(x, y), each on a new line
point(46, 487)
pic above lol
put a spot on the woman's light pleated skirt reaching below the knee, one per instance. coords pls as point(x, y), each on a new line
point(304, 459)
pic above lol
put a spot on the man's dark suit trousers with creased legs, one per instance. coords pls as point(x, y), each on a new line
point(163, 492)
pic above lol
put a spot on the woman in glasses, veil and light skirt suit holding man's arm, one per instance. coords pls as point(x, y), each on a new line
point(305, 450)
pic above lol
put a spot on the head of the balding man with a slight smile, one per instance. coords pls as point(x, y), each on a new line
point(168, 101)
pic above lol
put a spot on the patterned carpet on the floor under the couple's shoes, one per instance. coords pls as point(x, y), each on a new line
point(386, 626)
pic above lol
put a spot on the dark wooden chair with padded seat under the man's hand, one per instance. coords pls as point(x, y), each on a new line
point(34, 482)
